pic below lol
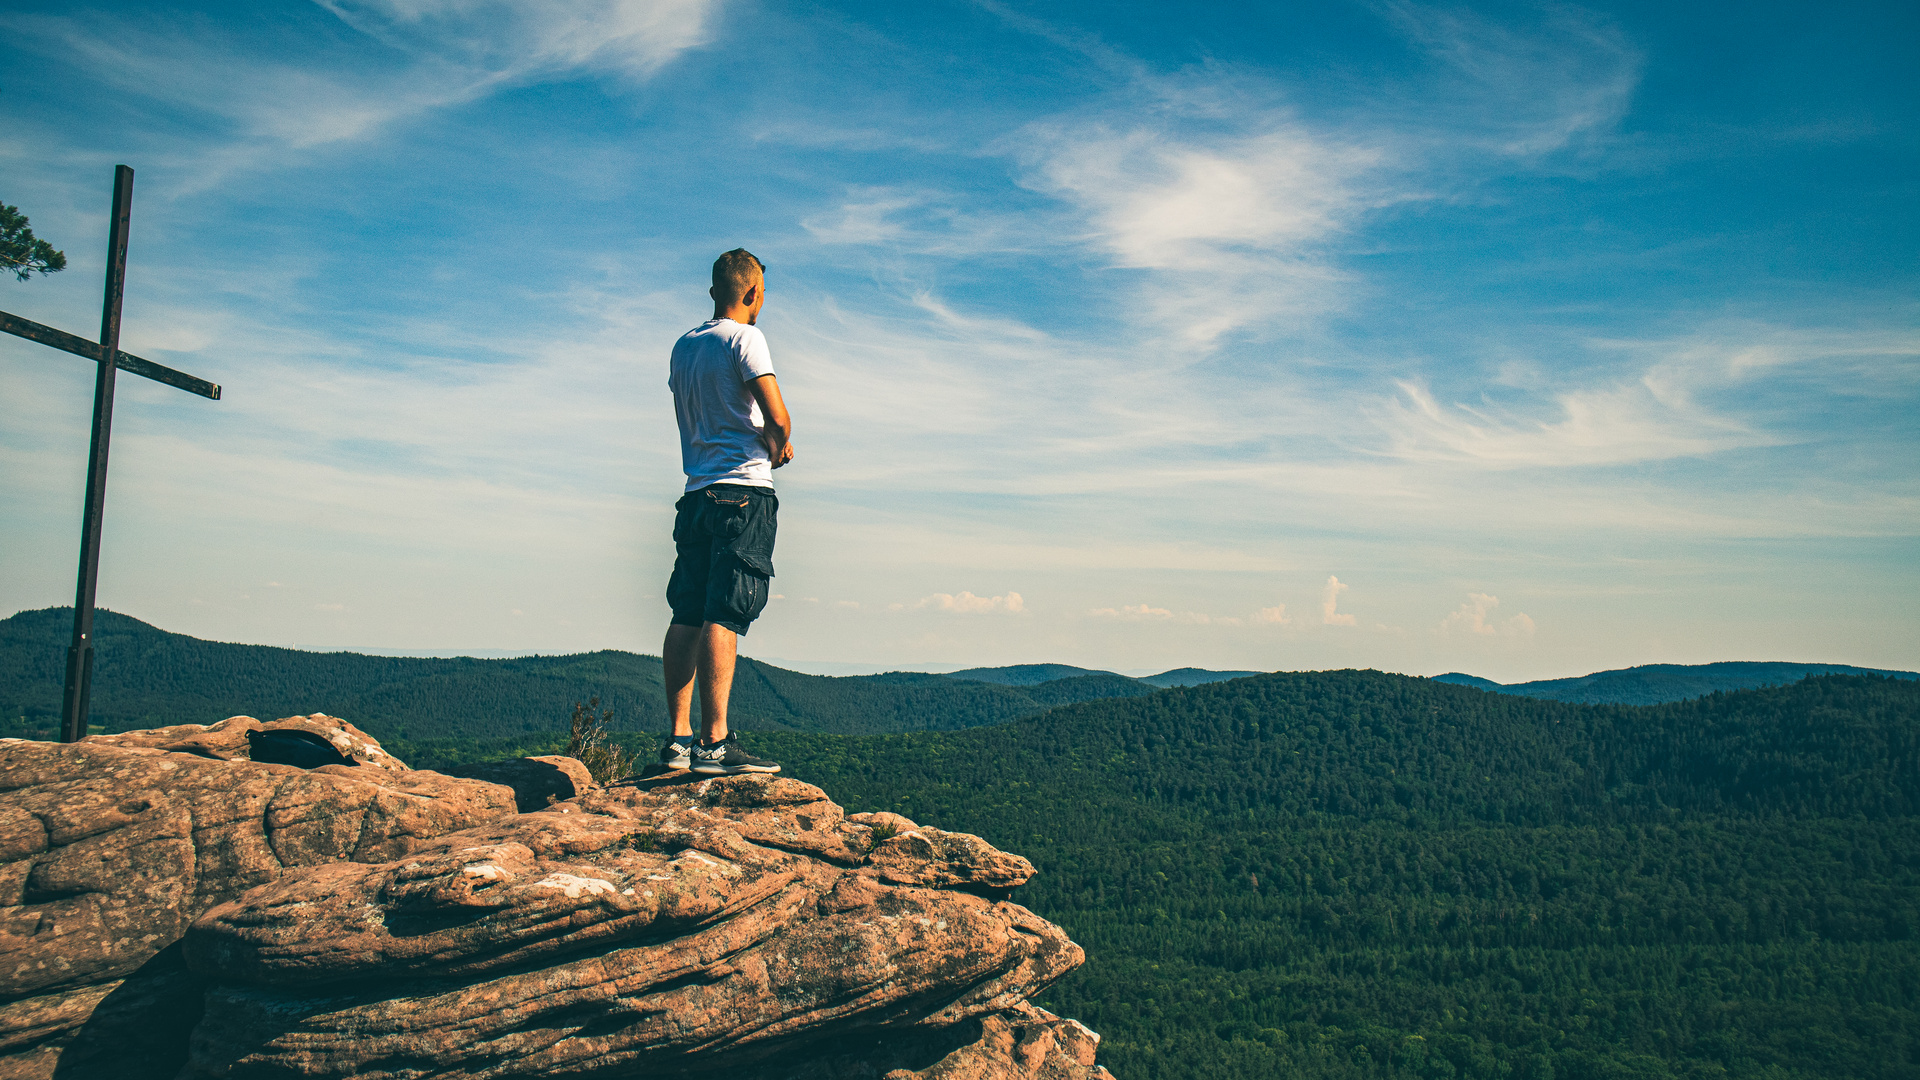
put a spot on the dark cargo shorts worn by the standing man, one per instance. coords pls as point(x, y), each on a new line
point(723, 556)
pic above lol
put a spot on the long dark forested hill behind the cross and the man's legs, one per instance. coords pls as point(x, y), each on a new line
point(149, 677)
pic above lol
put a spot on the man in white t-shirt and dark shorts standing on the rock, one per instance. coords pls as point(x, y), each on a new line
point(734, 433)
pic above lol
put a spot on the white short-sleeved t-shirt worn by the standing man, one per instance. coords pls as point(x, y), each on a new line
point(721, 422)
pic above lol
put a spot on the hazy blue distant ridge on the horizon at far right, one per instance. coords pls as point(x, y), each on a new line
point(1660, 683)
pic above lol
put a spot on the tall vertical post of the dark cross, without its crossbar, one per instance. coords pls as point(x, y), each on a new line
point(78, 693)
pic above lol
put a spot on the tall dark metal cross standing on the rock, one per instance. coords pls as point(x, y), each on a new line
point(74, 700)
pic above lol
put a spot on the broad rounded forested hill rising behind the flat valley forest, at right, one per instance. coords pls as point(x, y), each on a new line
point(1364, 745)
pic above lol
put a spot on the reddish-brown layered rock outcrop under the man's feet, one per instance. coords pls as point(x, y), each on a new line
point(174, 908)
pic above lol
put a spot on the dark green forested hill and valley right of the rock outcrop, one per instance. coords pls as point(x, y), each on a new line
point(1360, 875)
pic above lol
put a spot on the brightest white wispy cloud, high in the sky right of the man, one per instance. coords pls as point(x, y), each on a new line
point(1234, 205)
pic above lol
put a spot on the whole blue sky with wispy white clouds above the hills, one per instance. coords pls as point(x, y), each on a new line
point(1512, 339)
